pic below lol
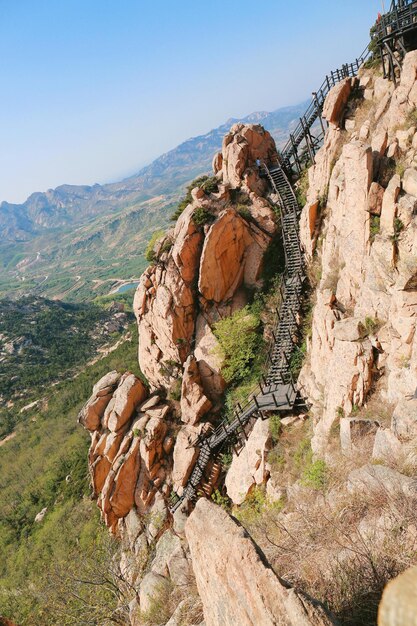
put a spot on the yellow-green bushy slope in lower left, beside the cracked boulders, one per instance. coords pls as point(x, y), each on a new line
point(45, 465)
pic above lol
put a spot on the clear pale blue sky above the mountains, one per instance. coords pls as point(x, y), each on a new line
point(91, 90)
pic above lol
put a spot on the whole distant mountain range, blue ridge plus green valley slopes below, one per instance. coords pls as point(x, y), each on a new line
point(55, 239)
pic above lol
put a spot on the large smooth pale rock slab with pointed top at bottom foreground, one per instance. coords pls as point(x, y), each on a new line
point(234, 582)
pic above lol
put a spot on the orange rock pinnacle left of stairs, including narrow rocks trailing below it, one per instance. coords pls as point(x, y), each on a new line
point(206, 266)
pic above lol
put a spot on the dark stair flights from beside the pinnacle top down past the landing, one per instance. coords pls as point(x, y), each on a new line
point(278, 392)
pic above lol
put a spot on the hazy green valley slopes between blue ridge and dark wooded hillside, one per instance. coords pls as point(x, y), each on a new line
point(80, 264)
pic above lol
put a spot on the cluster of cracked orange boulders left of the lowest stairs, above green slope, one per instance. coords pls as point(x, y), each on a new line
point(126, 457)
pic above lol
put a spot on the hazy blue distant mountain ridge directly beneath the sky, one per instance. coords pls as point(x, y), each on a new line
point(69, 205)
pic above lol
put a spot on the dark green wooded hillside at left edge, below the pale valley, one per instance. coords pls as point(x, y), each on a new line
point(43, 342)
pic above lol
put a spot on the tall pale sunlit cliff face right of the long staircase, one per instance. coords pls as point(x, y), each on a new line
point(360, 220)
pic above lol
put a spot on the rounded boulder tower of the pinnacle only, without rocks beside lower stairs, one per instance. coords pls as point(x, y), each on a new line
point(207, 264)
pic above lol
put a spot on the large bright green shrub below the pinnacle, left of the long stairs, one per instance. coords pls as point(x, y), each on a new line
point(240, 342)
